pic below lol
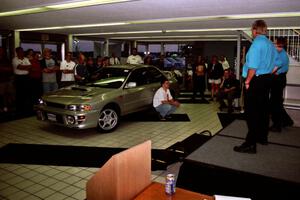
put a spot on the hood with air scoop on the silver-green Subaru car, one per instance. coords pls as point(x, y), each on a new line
point(76, 94)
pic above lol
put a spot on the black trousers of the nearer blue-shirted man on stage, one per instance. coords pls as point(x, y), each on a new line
point(257, 108)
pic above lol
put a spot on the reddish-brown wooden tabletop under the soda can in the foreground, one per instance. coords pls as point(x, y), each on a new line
point(156, 191)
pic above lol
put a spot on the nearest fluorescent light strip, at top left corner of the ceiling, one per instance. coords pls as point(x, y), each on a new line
point(63, 6)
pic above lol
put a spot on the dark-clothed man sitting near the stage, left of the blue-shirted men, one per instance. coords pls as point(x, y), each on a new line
point(229, 90)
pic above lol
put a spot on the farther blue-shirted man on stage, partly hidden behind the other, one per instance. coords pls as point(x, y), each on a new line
point(280, 117)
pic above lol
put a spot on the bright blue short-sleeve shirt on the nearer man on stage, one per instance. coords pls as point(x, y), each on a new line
point(262, 56)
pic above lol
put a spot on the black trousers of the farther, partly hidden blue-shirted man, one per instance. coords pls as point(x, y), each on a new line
point(278, 114)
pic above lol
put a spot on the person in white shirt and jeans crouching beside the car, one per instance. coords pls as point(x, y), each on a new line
point(163, 101)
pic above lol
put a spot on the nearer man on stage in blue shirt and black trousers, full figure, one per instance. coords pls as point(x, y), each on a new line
point(261, 59)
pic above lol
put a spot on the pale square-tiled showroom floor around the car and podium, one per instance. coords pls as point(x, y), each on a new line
point(24, 181)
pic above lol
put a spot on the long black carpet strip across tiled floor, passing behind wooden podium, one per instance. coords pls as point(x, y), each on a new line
point(84, 156)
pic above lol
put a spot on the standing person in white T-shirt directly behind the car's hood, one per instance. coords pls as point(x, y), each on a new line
point(67, 68)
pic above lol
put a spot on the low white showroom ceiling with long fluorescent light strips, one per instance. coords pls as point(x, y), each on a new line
point(150, 20)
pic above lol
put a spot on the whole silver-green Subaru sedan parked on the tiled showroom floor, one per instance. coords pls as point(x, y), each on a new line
point(118, 90)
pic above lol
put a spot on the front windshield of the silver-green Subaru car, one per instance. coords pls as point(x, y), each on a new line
point(110, 78)
